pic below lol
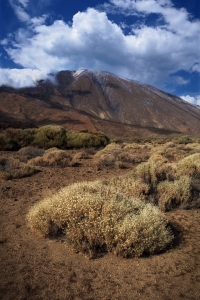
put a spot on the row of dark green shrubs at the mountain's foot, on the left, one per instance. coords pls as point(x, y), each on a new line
point(49, 136)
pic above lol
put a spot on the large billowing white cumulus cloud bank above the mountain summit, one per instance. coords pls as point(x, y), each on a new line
point(148, 54)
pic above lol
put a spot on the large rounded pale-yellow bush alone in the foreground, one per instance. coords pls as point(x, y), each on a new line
point(95, 218)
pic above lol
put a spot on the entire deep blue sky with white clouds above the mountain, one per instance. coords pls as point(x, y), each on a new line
point(151, 41)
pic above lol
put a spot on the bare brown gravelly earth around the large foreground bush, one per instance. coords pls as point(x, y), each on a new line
point(36, 268)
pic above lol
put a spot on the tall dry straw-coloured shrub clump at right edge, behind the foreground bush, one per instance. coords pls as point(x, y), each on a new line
point(171, 184)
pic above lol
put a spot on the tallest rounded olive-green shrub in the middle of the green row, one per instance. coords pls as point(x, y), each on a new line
point(49, 136)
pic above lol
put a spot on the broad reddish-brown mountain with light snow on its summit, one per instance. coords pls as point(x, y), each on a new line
point(99, 101)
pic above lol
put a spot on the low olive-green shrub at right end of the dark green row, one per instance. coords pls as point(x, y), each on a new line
point(84, 139)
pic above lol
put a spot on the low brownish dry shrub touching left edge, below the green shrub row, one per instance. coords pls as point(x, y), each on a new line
point(13, 168)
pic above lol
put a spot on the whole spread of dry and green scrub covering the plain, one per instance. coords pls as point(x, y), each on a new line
point(122, 215)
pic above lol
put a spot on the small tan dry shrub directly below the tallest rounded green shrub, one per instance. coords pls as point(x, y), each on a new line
point(57, 158)
